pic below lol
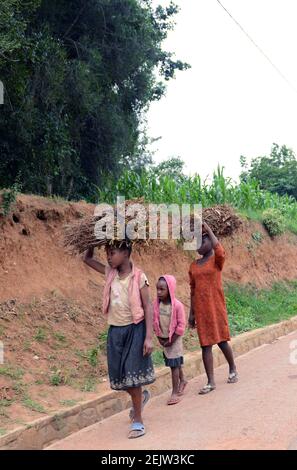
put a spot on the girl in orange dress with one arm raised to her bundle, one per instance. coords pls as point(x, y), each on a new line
point(208, 308)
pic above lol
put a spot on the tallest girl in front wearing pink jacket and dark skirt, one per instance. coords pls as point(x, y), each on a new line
point(126, 302)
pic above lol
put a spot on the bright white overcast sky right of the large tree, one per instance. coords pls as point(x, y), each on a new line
point(231, 102)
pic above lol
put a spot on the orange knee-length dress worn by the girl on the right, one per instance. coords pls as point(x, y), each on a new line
point(208, 299)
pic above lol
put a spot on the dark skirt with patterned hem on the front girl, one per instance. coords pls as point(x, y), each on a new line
point(127, 366)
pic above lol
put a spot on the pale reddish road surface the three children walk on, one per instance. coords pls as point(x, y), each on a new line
point(259, 412)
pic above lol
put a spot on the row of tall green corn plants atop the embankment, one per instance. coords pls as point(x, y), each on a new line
point(246, 195)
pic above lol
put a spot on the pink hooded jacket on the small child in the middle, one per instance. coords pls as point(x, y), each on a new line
point(178, 317)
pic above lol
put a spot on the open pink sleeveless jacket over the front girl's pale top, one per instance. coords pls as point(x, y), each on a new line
point(134, 293)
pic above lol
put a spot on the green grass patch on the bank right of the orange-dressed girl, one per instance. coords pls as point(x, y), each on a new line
point(250, 308)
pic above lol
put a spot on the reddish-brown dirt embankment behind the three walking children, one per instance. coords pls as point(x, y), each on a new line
point(50, 302)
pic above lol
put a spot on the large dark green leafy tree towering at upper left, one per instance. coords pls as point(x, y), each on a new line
point(79, 77)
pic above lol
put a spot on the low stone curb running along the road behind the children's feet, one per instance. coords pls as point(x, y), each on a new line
point(45, 431)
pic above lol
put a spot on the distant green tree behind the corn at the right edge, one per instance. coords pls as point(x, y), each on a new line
point(276, 172)
